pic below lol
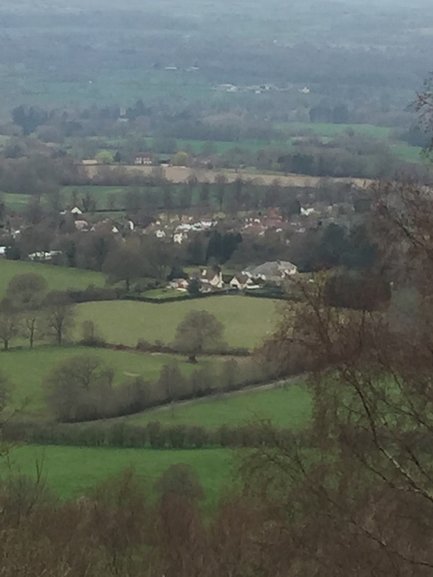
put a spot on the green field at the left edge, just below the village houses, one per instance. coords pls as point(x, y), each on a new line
point(58, 278)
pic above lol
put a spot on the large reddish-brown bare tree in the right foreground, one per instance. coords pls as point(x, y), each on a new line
point(361, 475)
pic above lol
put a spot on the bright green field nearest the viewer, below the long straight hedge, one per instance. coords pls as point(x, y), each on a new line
point(71, 471)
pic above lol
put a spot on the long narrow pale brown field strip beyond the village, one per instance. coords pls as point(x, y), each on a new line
point(181, 174)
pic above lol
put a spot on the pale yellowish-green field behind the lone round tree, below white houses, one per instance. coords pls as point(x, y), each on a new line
point(247, 321)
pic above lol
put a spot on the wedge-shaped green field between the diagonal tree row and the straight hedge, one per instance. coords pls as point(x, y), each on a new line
point(283, 407)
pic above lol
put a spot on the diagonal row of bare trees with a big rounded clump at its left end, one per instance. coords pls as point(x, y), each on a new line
point(84, 388)
